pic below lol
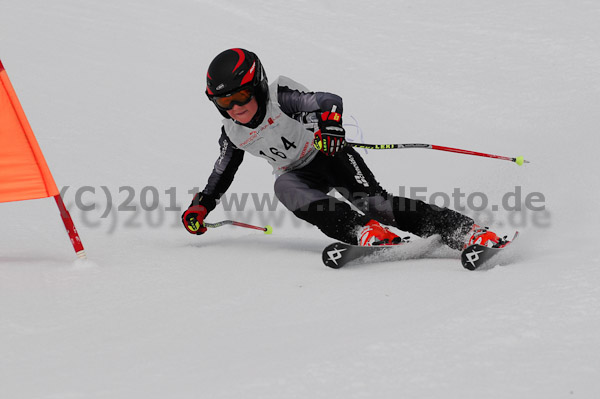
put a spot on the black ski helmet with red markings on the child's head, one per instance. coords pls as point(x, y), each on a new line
point(234, 69)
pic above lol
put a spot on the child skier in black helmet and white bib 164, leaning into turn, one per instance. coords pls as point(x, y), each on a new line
point(300, 134)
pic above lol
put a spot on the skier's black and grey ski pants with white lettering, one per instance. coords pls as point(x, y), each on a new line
point(305, 191)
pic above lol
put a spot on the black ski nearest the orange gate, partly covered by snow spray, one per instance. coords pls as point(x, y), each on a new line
point(339, 254)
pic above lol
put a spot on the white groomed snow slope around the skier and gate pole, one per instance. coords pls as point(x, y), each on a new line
point(114, 91)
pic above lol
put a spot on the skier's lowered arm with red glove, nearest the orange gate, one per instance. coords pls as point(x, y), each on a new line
point(218, 182)
